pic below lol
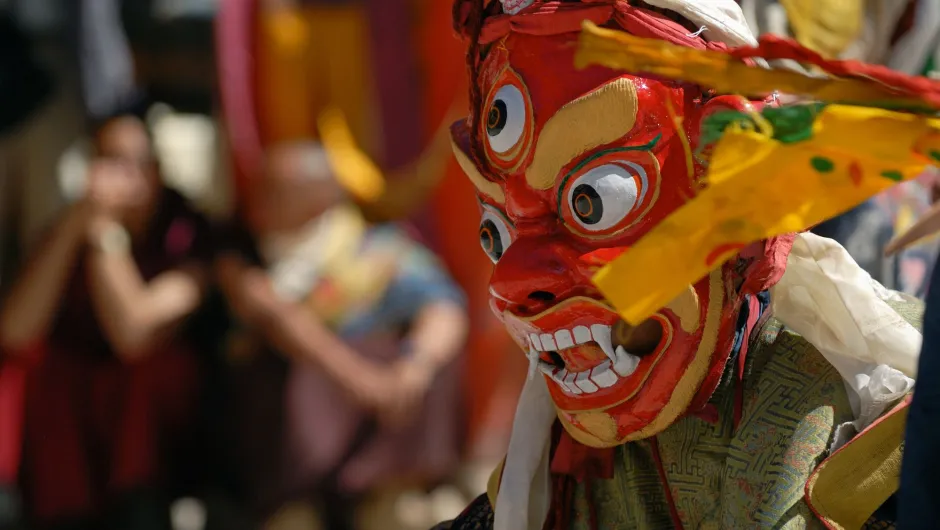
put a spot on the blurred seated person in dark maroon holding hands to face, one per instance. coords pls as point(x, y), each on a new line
point(93, 322)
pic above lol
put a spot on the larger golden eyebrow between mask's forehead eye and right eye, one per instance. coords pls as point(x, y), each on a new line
point(600, 117)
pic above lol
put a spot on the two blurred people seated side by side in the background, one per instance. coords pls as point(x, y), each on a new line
point(298, 352)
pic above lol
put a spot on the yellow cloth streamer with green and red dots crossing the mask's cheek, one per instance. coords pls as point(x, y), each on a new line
point(759, 188)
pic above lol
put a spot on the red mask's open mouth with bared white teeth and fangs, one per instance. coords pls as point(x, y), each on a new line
point(586, 359)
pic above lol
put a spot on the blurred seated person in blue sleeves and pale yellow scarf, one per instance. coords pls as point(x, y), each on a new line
point(347, 346)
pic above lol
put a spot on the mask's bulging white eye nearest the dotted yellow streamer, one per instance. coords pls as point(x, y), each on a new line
point(601, 198)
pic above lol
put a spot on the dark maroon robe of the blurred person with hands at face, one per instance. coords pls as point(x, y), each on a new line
point(89, 425)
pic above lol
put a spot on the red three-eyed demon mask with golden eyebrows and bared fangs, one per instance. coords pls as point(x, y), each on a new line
point(572, 168)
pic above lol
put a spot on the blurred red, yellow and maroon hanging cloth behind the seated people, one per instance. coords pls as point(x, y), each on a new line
point(394, 69)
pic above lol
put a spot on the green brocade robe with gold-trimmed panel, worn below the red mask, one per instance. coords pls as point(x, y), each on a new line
point(768, 472)
